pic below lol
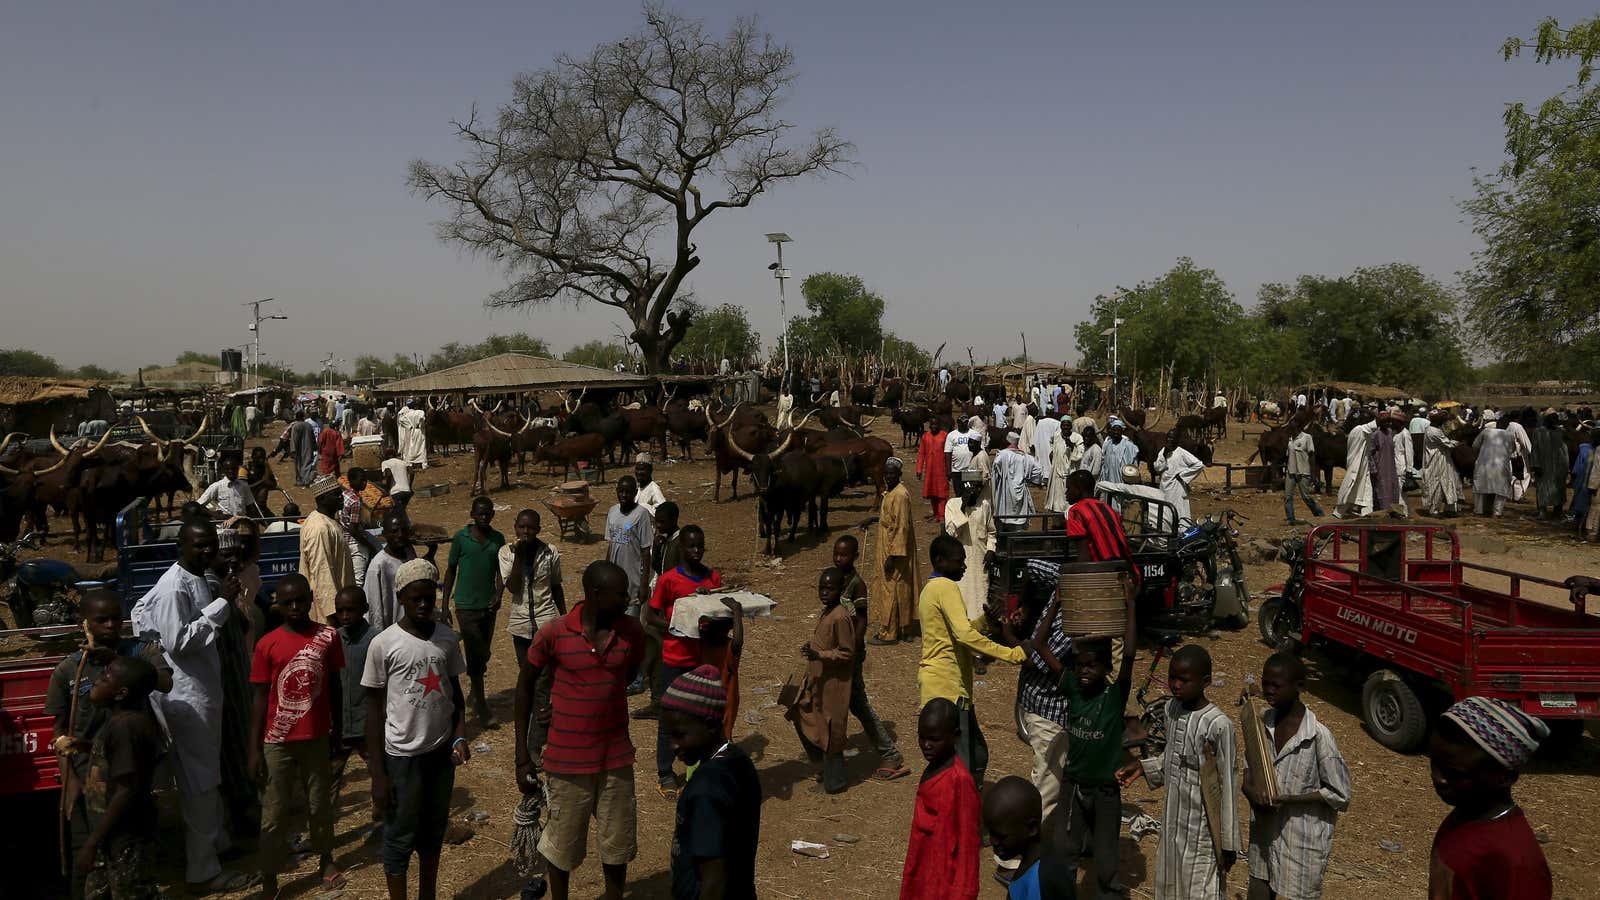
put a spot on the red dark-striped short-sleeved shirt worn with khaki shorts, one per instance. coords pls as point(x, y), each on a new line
point(590, 694)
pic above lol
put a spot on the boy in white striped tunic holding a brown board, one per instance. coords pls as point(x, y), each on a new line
point(1292, 838)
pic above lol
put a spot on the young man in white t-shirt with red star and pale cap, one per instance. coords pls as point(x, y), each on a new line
point(415, 729)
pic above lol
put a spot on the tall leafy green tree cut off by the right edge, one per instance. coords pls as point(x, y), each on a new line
point(1534, 286)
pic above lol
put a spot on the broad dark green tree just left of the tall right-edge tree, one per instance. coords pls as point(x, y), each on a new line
point(1382, 326)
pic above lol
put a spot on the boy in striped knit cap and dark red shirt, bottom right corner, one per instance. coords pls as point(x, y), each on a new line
point(1486, 846)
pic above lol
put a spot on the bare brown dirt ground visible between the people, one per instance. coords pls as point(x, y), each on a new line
point(1382, 846)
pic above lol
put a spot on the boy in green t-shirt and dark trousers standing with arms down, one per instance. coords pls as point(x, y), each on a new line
point(473, 581)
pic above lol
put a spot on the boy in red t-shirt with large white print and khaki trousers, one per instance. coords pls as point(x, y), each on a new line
point(295, 673)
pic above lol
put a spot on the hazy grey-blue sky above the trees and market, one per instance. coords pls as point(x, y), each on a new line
point(167, 163)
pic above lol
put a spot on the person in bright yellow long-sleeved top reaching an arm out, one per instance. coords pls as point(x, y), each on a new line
point(950, 640)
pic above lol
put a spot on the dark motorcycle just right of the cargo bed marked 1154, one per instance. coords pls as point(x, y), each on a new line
point(1212, 574)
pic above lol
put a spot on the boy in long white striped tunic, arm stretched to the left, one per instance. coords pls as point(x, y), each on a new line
point(1190, 866)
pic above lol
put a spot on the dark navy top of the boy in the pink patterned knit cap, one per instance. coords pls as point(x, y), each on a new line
point(719, 818)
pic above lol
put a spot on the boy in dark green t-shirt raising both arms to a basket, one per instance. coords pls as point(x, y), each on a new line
point(1090, 794)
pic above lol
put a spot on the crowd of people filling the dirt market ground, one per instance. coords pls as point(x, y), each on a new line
point(362, 653)
